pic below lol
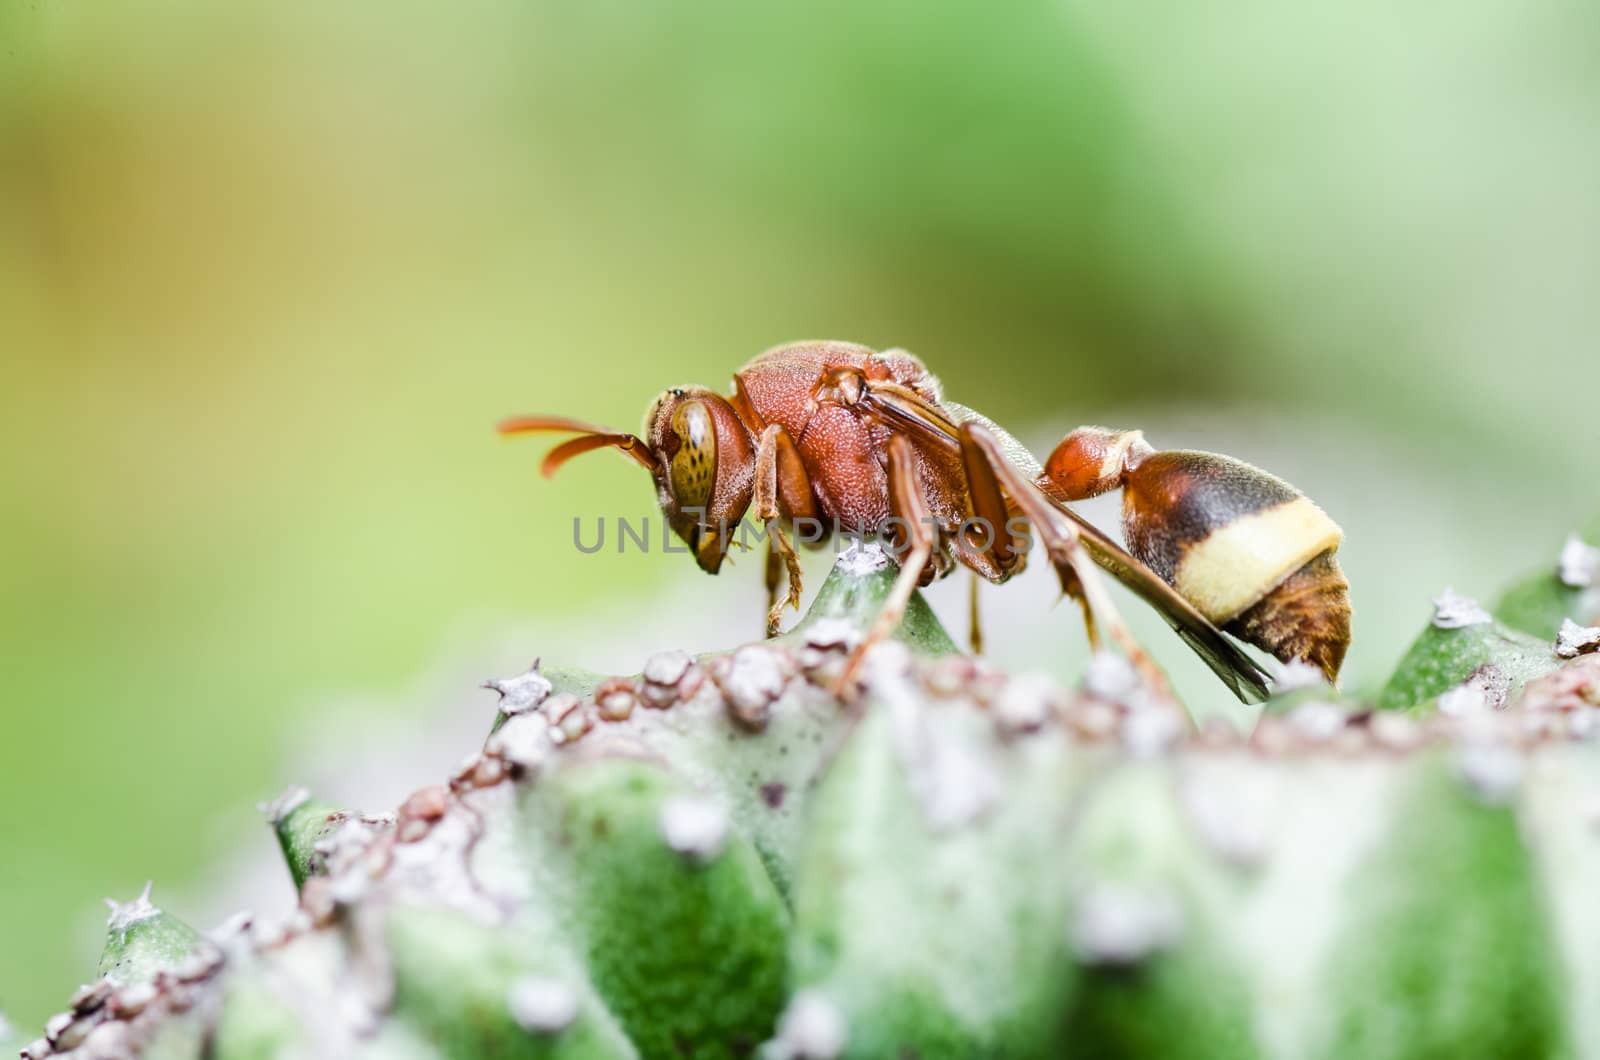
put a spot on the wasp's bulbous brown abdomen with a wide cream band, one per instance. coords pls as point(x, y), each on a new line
point(1250, 552)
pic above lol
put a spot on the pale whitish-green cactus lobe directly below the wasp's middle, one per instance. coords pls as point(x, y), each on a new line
point(927, 829)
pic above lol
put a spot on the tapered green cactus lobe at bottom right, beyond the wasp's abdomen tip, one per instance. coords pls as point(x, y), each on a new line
point(1449, 886)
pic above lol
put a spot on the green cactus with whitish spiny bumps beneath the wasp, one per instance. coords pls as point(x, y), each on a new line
point(716, 857)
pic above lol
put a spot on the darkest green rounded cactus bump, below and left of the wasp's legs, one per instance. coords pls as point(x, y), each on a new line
point(673, 912)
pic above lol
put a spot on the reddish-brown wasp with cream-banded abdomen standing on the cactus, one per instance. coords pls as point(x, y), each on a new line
point(863, 443)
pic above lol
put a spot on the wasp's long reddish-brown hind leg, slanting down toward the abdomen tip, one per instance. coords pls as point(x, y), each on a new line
point(990, 470)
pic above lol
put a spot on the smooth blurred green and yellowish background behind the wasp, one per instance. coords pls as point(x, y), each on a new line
point(270, 275)
